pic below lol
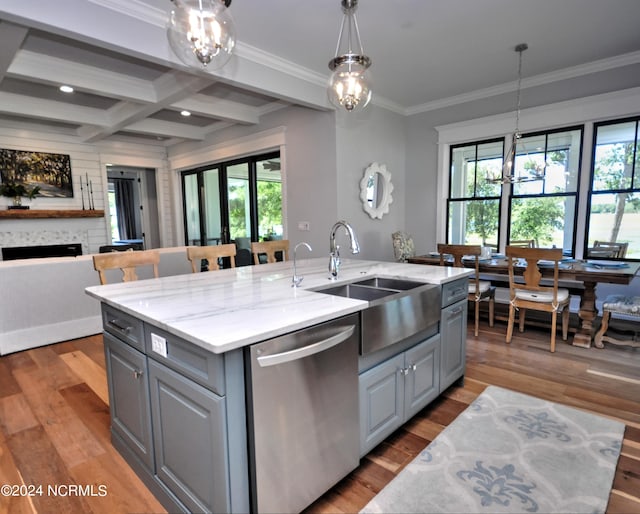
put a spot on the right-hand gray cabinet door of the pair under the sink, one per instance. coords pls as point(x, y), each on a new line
point(422, 377)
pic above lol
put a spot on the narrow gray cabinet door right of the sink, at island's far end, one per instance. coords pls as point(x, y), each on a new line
point(453, 331)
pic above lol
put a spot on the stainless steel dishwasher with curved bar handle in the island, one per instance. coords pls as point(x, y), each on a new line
point(303, 414)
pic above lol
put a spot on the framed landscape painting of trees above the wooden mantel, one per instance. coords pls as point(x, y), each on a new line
point(51, 172)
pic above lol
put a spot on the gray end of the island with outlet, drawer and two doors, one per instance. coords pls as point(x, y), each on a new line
point(177, 416)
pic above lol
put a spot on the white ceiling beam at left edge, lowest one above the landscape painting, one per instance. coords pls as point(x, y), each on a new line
point(11, 103)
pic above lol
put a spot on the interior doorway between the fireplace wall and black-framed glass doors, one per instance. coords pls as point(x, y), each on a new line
point(133, 206)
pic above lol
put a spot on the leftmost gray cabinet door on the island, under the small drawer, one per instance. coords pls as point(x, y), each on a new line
point(129, 397)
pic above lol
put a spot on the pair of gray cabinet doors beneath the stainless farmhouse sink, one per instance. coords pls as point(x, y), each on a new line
point(395, 390)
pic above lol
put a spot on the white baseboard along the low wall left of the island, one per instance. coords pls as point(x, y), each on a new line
point(42, 335)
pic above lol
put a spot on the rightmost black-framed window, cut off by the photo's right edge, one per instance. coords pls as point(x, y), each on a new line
point(614, 206)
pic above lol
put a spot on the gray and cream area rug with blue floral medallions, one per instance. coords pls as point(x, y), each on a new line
point(507, 453)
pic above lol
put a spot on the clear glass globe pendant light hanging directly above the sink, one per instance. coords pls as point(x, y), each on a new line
point(349, 84)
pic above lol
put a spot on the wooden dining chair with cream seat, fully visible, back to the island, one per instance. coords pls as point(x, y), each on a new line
point(530, 294)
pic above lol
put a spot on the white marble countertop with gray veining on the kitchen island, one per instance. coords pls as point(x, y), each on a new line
point(228, 309)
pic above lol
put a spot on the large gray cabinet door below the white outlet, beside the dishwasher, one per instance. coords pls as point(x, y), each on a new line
point(189, 432)
